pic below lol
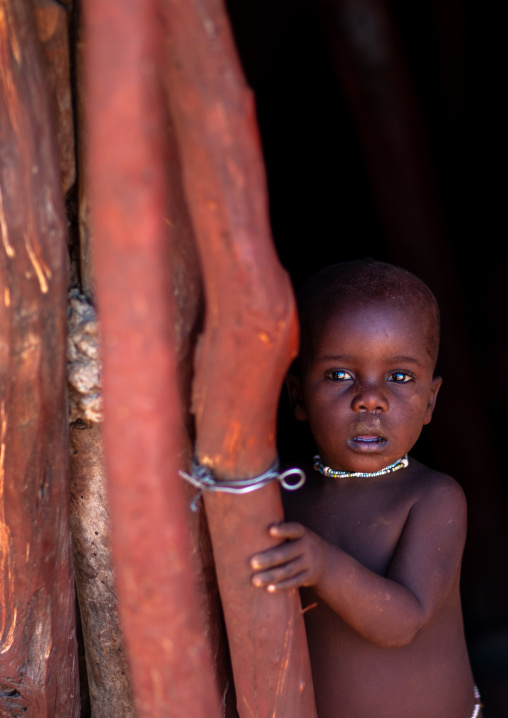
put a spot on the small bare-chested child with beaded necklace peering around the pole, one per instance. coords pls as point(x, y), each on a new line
point(374, 539)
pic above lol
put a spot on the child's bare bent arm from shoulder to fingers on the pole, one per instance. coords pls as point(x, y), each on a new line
point(388, 611)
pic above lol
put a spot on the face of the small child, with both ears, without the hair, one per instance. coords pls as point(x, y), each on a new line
point(366, 386)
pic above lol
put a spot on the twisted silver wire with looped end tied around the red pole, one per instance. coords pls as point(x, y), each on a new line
point(204, 479)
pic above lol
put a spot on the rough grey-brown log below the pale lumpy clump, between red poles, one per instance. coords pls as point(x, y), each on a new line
point(107, 668)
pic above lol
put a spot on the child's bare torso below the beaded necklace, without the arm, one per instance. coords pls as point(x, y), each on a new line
point(354, 677)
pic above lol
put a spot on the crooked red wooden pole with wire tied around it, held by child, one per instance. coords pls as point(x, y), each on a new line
point(249, 340)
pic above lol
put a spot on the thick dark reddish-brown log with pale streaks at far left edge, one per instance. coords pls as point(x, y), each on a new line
point(38, 666)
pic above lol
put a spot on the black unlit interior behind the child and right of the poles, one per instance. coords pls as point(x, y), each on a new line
point(327, 206)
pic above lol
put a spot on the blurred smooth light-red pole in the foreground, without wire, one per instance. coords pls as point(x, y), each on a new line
point(166, 642)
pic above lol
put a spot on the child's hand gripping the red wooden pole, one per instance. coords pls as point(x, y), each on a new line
point(300, 561)
